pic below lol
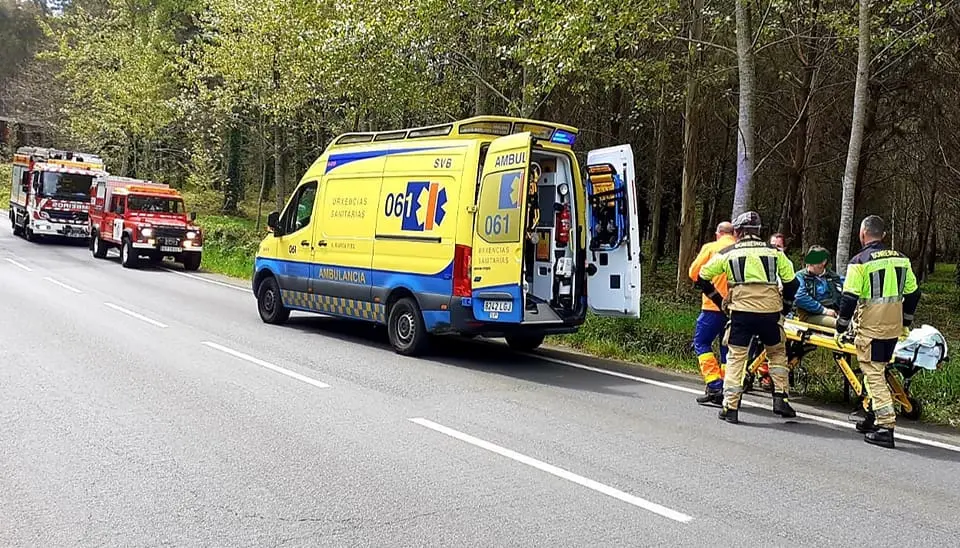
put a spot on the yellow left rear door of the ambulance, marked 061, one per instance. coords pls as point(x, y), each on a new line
point(498, 231)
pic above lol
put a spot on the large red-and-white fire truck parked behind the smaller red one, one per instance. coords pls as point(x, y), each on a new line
point(49, 192)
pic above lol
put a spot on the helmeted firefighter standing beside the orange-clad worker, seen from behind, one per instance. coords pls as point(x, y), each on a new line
point(755, 270)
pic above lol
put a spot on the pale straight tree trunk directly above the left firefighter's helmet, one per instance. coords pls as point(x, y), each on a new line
point(745, 135)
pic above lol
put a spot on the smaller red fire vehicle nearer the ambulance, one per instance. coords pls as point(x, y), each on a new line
point(142, 219)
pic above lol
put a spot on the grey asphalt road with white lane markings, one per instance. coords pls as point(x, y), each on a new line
point(144, 408)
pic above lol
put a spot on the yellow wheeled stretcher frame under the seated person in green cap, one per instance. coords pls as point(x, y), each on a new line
point(803, 338)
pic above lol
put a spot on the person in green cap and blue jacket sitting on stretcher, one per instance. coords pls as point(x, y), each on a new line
point(818, 299)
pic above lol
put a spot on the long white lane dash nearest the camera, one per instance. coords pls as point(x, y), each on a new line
point(559, 472)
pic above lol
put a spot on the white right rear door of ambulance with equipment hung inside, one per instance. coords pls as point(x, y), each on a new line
point(613, 235)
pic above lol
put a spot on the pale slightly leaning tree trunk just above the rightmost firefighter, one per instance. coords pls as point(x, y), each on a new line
point(860, 98)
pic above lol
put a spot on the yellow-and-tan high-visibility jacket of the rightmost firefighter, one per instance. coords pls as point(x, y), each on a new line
point(881, 291)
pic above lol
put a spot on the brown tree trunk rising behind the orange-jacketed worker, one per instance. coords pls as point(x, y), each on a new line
point(691, 149)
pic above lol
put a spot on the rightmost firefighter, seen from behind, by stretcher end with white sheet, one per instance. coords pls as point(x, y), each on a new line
point(881, 291)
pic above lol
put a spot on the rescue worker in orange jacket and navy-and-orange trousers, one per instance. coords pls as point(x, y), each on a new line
point(712, 320)
